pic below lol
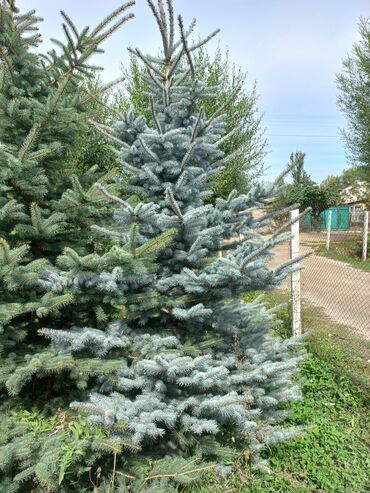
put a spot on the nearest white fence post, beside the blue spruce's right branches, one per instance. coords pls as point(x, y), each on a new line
point(295, 277)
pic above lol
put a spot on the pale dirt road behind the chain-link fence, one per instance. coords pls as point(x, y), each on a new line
point(341, 290)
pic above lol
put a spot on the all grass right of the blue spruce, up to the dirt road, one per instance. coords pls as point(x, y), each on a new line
point(332, 454)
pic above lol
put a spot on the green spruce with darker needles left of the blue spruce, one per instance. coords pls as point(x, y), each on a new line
point(42, 208)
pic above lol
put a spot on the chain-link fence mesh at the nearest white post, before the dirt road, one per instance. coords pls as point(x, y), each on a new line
point(334, 285)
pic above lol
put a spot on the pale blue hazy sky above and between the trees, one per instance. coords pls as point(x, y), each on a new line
point(293, 49)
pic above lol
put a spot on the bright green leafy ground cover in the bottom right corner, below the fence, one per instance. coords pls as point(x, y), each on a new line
point(331, 456)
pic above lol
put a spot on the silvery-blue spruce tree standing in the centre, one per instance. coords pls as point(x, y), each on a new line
point(201, 371)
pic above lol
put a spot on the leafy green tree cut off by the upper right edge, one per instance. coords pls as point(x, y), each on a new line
point(353, 84)
